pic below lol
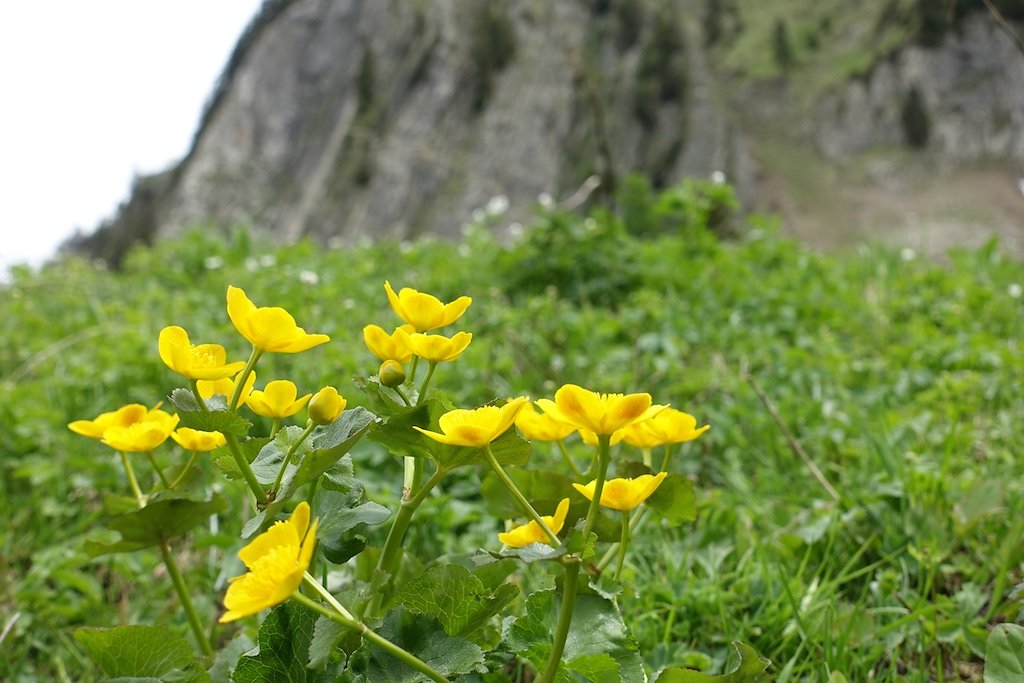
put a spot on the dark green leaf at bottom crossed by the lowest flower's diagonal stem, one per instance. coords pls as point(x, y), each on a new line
point(421, 636)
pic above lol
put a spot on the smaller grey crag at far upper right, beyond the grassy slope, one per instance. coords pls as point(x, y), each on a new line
point(972, 99)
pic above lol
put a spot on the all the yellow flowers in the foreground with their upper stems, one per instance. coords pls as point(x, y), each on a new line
point(278, 560)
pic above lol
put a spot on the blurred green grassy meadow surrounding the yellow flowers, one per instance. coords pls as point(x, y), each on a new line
point(904, 381)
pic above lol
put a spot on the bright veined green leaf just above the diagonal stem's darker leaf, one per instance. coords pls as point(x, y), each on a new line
point(456, 599)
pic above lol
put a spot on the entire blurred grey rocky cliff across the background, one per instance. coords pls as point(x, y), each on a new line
point(399, 118)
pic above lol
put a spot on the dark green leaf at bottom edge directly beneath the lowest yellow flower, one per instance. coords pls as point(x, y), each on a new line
point(283, 649)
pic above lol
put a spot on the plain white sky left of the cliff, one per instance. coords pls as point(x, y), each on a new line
point(95, 93)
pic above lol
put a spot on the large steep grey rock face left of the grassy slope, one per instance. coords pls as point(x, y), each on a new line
point(392, 118)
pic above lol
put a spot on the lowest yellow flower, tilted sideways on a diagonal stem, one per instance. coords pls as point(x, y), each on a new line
point(277, 560)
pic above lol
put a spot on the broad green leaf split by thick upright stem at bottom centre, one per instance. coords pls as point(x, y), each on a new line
point(598, 634)
